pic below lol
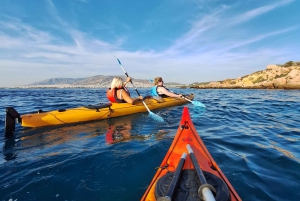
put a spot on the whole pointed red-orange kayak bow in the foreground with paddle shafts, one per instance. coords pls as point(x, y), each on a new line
point(188, 171)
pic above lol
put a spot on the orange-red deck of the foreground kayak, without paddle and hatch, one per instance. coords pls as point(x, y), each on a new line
point(187, 134)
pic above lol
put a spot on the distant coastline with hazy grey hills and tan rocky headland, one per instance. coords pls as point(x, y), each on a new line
point(286, 76)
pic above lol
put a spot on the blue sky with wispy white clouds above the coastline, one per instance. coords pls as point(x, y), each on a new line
point(179, 40)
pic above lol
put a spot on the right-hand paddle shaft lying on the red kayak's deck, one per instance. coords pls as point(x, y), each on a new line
point(205, 189)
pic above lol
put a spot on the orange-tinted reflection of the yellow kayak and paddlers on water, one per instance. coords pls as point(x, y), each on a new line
point(62, 139)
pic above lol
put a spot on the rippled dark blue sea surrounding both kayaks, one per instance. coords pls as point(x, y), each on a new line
point(254, 136)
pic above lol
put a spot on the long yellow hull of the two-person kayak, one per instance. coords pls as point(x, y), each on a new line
point(83, 114)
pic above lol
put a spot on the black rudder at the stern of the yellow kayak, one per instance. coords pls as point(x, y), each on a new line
point(10, 121)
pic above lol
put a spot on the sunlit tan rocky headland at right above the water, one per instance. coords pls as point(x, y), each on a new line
point(286, 76)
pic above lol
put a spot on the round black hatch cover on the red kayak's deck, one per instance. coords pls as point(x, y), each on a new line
point(189, 184)
